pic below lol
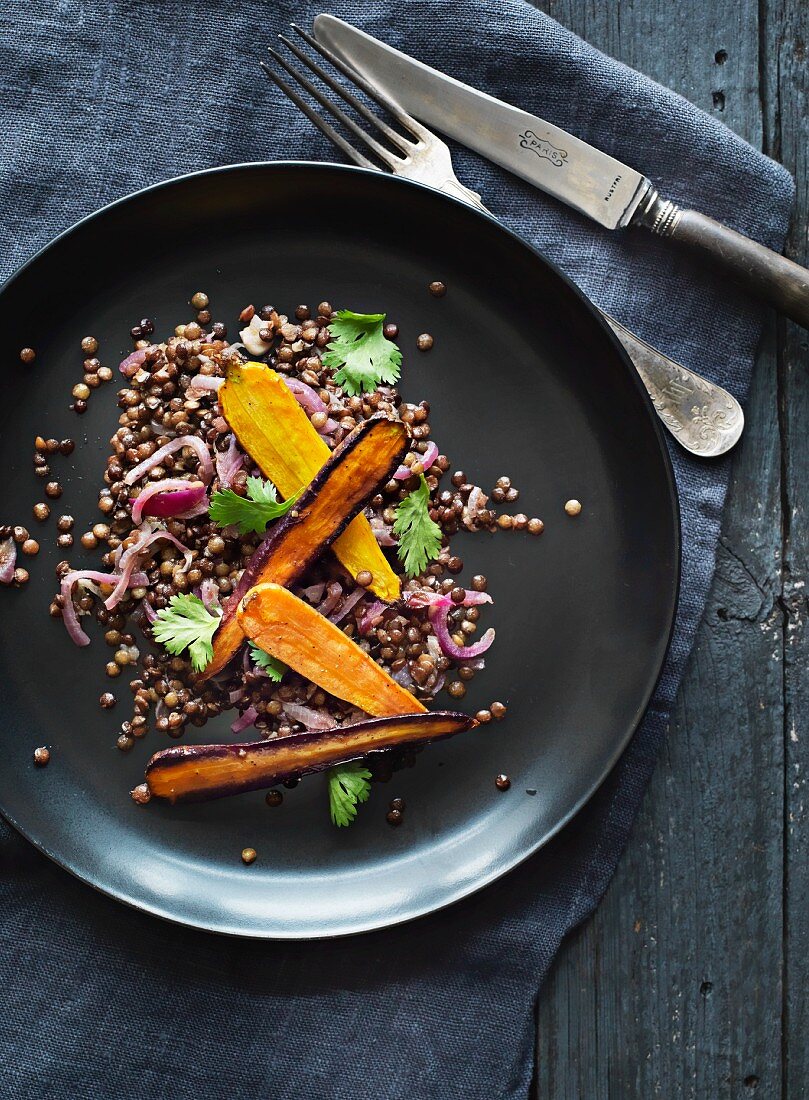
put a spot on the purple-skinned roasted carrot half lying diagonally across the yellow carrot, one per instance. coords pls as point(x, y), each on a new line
point(341, 489)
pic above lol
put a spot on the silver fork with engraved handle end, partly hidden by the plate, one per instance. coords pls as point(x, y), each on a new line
point(702, 416)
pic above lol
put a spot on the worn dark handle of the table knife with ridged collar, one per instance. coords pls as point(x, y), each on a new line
point(767, 274)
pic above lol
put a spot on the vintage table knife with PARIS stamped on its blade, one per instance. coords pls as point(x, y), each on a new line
point(589, 181)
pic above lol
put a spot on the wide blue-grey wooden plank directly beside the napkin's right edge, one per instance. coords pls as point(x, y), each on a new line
point(674, 988)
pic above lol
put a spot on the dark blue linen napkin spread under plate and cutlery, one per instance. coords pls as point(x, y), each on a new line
point(102, 98)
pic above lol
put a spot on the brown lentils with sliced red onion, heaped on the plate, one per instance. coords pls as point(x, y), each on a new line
point(172, 395)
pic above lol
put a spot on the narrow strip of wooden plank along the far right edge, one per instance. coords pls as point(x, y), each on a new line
point(786, 102)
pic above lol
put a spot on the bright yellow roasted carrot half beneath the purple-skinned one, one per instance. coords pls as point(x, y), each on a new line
point(279, 436)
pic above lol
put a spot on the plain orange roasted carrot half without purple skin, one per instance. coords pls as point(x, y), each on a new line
point(296, 633)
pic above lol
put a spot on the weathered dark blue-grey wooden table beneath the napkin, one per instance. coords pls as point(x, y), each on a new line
point(692, 980)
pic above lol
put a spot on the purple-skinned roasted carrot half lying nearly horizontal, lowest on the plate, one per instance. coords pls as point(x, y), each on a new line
point(200, 773)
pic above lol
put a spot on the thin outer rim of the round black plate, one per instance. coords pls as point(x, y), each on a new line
point(387, 921)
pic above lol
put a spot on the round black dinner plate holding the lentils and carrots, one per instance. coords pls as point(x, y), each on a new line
point(524, 379)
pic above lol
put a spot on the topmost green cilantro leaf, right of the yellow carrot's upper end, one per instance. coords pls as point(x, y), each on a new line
point(363, 353)
